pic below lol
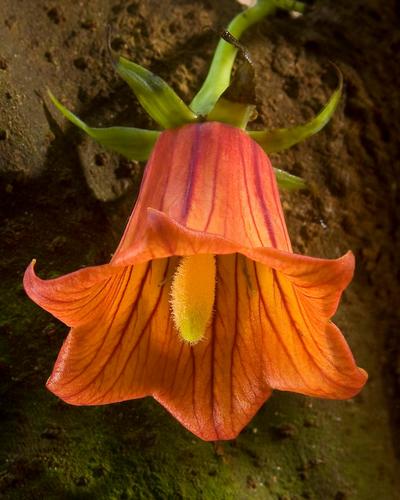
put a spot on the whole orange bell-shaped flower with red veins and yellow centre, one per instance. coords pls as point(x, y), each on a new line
point(203, 306)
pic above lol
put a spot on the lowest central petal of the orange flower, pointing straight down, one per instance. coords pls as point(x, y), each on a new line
point(226, 383)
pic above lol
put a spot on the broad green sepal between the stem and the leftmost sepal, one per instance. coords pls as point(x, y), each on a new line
point(155, 95)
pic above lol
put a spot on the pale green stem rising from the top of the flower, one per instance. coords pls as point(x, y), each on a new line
point(219, 74)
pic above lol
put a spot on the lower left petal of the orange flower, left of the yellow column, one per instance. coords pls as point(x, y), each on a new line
point(118, 354)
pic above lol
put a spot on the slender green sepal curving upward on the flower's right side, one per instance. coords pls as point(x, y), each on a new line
point(279, 139)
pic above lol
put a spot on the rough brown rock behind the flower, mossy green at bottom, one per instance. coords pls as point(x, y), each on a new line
point(64, 201)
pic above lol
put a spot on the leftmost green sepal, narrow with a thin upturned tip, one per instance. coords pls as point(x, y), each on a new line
point(133, 143)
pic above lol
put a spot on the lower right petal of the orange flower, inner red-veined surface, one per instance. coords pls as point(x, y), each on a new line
point(304, 352)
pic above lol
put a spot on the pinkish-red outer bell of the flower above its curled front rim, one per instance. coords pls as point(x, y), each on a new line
point(210, 178)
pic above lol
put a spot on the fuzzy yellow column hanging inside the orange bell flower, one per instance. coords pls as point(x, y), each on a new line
point(192, 296)
